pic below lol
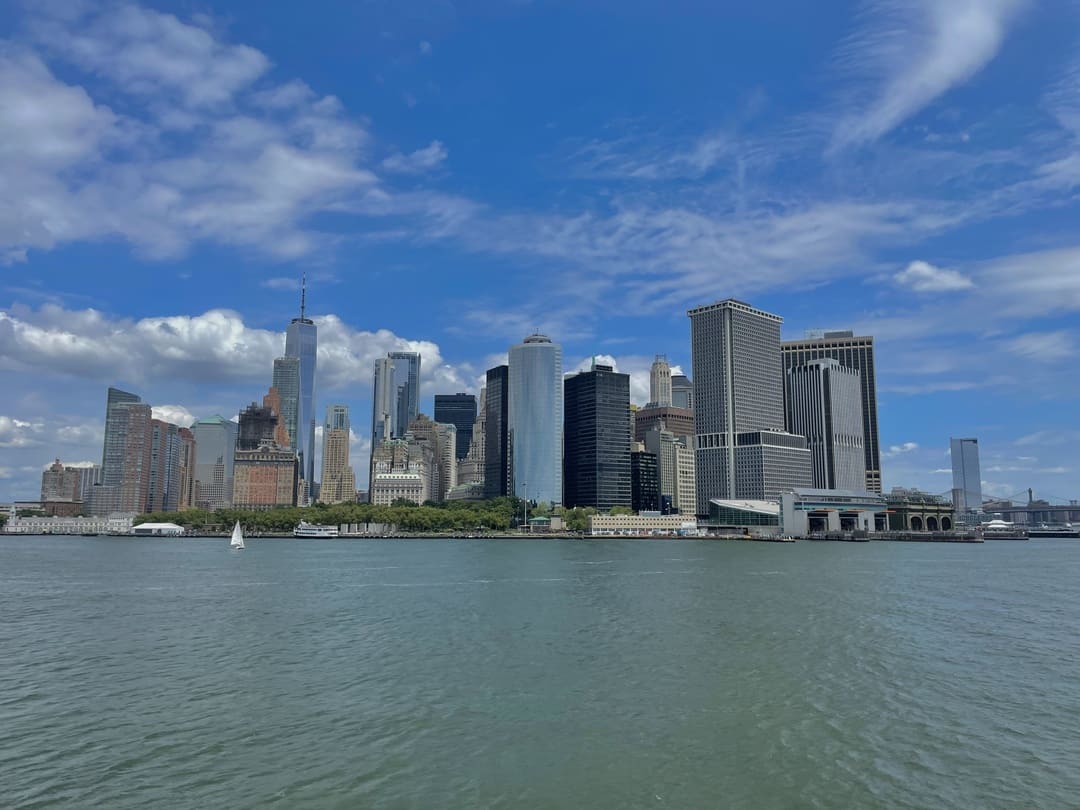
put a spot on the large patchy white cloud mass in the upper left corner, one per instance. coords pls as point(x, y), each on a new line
point(198, 154)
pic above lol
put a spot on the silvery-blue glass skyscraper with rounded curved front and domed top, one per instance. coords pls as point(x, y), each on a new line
point(536, 420)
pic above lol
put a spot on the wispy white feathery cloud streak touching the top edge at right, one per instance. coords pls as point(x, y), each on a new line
point(915, 52)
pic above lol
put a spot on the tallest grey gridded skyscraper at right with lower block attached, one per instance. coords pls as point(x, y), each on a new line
point(742, 450)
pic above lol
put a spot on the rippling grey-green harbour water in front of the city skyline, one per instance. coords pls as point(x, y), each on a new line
point(538, 674)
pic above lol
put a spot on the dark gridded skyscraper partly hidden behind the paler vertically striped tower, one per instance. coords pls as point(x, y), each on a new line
point(852, 353)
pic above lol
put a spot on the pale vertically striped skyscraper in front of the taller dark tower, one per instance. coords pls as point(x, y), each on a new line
point(825, 403)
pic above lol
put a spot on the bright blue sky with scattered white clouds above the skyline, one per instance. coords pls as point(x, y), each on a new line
point(453, 175)
